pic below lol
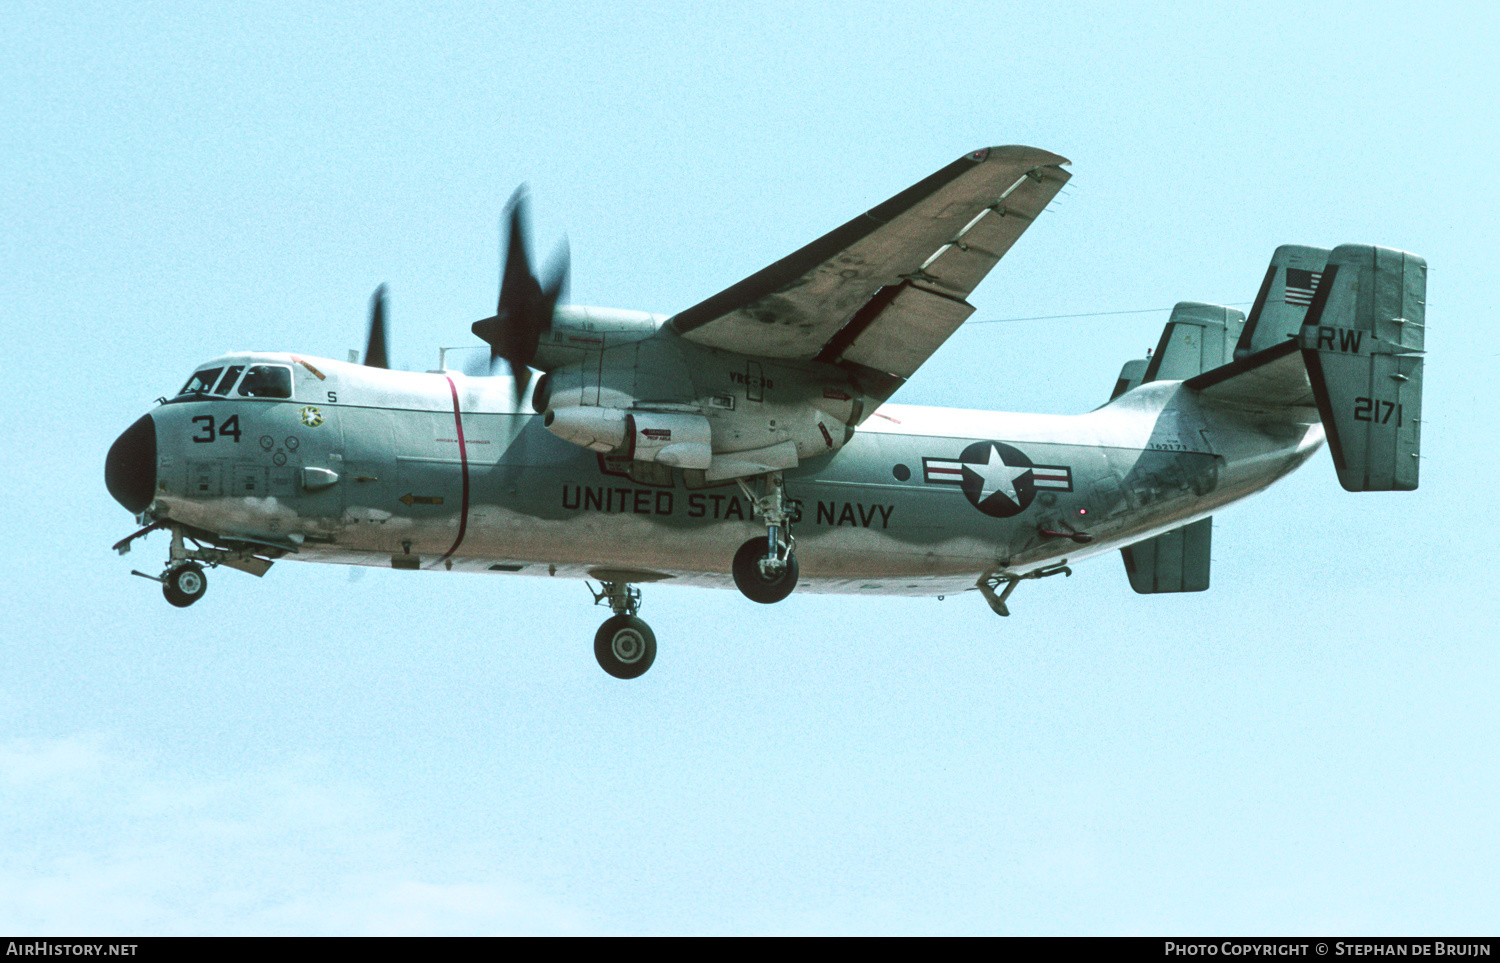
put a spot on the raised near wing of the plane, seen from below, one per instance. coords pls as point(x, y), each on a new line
point(886, 290)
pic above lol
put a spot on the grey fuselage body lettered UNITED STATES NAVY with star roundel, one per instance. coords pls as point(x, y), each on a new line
point(374, 467)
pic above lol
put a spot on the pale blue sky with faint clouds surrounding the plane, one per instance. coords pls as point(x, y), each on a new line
point(1309, 748)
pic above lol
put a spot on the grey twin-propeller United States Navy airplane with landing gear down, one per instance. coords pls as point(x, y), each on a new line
point(749, 440)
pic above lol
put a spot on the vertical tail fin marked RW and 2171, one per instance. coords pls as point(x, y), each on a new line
point(1363, 347)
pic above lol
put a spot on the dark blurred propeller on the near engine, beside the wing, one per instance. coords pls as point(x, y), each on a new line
point(526, 307)
